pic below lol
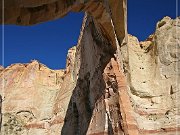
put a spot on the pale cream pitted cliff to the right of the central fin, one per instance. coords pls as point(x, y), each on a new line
point(152, 69)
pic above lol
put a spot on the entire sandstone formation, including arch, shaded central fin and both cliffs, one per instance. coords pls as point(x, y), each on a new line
point(110, 86)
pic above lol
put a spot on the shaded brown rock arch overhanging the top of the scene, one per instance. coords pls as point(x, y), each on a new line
point(110, 14)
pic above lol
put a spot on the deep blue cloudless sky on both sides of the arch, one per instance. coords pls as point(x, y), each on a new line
point(49, 42)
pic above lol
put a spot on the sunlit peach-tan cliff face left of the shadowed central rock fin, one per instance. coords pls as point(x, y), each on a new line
point(23, 87)
